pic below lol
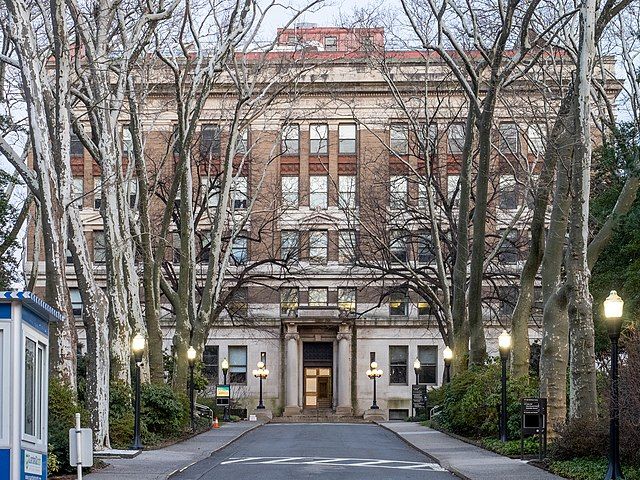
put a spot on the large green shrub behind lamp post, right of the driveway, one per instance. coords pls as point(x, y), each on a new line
point(470, 402)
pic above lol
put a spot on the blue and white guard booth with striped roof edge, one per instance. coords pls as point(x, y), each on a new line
point(24, 379)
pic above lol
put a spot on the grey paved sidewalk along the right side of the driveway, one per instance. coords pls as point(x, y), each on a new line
point(463, 459)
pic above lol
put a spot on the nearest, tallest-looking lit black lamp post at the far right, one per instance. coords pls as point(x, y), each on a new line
point(613, 313)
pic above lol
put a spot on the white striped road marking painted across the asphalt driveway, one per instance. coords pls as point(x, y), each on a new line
point(337, 462)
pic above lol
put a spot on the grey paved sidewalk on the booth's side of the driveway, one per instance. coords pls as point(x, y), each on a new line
point(159, 464)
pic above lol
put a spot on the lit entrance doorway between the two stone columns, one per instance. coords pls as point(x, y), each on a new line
point(318, 374)
